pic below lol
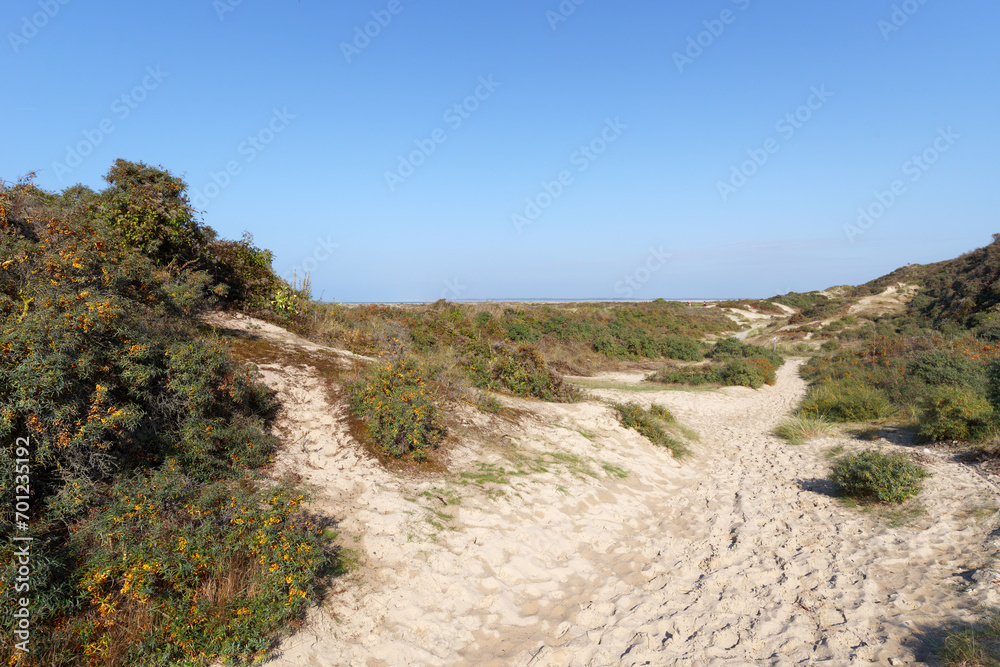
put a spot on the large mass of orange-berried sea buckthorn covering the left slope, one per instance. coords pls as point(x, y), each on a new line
point(155, 542)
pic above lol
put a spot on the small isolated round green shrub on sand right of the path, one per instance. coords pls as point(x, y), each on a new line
point(874, 476)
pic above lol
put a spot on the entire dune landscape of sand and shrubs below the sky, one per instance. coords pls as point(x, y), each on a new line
point(223, 469)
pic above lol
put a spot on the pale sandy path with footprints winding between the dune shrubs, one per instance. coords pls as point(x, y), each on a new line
point(736, 556)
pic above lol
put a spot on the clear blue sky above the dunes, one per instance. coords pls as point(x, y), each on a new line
point(484, 150)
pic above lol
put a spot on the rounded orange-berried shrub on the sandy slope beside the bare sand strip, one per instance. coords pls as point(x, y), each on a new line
point(393, 400)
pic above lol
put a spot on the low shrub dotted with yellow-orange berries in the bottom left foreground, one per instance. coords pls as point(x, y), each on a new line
point(209, 570)
